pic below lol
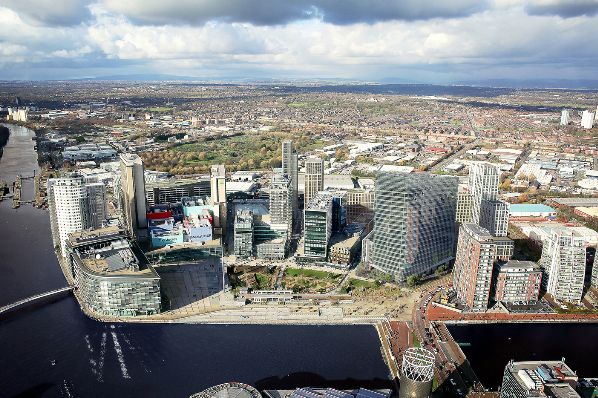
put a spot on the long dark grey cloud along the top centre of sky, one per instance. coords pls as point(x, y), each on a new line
point(276, 12)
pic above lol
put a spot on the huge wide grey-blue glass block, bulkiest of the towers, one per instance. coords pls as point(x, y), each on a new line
point(414, 223)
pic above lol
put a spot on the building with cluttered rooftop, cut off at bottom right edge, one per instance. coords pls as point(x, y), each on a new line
point(538, 379)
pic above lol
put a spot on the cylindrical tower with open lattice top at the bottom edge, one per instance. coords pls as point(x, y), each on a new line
point(417, 373)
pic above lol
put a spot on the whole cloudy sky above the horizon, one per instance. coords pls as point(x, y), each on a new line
point(428, 41)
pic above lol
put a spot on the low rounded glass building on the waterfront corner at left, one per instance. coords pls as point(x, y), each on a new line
point(112, 275)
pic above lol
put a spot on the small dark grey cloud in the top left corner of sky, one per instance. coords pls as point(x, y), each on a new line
point(50, 12)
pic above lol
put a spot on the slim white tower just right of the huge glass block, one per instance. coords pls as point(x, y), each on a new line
point(483, 185)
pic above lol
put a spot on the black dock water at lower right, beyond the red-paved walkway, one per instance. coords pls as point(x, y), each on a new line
point(492, 346)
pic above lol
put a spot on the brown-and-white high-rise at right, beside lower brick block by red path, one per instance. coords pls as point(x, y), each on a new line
point(477, 250)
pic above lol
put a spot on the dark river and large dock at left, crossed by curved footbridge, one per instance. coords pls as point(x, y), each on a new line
point(53, 350)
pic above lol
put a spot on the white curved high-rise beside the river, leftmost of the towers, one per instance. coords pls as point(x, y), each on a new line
point(67, 205)
